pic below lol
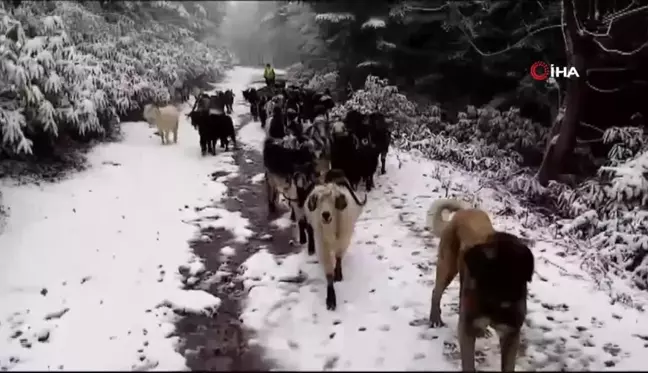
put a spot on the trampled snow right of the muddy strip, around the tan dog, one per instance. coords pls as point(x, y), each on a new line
point(388, 276)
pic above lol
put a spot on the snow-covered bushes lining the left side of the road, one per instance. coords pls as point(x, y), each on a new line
point(66, 69)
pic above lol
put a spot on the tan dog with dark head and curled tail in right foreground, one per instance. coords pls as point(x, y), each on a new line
point(494, 269)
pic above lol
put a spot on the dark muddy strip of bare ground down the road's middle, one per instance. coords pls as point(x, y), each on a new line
point(220, 342)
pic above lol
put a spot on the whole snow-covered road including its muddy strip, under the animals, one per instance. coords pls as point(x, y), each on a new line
point(97, 271)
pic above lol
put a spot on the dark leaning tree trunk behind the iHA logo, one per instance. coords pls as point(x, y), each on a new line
point(562, 139)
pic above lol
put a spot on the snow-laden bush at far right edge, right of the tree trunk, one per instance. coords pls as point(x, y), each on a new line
point(611, 210)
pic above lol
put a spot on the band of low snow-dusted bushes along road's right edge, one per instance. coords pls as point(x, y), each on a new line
point(609, 211)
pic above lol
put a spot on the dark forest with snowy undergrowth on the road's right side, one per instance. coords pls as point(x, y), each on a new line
point(451, 73)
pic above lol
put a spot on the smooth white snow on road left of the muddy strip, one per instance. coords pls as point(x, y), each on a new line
point(90, 265)
